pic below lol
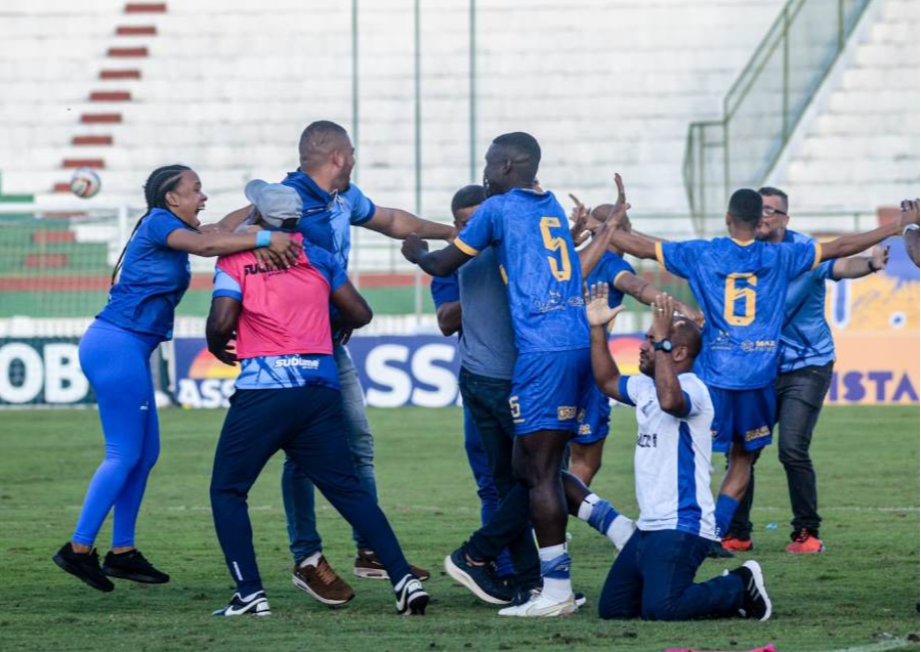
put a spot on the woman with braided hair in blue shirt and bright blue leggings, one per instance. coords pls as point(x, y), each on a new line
point(115, 356)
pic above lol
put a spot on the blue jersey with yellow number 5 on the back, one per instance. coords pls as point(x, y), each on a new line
point(530, 233)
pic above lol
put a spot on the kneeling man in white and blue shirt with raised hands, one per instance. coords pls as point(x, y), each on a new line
point(653, 577)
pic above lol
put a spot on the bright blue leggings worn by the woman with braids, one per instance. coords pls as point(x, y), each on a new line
point(117, 364)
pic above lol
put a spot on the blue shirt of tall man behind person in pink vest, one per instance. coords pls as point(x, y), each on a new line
point(328, 219)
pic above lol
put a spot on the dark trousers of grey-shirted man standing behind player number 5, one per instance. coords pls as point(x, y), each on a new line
point(487, 401)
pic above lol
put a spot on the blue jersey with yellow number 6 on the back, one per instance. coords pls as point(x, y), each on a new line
point(742, 290)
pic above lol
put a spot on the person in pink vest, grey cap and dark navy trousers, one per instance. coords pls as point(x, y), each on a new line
point(288, 399)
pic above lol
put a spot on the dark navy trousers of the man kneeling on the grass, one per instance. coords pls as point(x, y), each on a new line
point(653, 579)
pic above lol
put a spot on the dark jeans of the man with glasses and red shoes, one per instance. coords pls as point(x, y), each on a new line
point(800, 398)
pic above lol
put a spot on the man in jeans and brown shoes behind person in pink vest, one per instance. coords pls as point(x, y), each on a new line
point(332, 206)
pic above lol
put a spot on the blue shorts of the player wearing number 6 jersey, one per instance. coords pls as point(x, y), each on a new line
point(744, 416)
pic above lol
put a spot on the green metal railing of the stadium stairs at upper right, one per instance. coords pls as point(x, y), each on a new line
point(767, 102)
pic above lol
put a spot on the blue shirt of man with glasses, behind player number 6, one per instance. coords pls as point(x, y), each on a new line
point(807, 340)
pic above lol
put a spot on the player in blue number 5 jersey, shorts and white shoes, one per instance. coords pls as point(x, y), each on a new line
point(553, 373)
